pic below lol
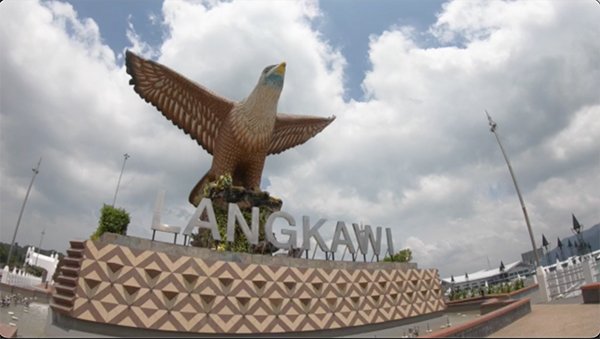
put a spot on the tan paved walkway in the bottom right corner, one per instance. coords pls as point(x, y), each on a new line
point(566, 318)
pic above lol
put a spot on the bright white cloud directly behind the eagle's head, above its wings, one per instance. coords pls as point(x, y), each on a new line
point(230, 43)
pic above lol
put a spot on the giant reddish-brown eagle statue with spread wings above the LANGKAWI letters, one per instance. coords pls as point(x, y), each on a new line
point(239, 135)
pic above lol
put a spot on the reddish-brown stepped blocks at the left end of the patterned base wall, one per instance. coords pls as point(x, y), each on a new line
point(65, 285)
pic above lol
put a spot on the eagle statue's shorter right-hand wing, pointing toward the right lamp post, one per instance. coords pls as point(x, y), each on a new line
point(292, 130)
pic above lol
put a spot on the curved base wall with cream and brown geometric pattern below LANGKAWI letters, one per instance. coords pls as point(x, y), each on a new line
point(155, 287)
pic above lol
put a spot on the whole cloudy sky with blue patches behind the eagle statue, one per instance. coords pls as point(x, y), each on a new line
point(408, 81)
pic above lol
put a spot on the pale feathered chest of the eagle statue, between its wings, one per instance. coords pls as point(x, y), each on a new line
point(253, 120)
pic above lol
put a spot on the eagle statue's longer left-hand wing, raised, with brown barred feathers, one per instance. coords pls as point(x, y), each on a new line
point(189, 106)
